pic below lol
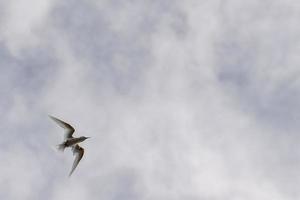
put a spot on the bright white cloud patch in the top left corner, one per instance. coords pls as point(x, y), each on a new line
point(22, 21)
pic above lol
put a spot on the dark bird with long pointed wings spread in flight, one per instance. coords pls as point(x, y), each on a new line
point(70, 142)
